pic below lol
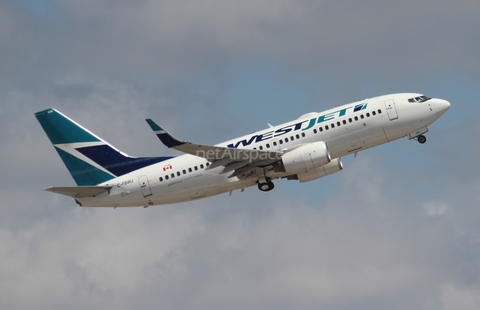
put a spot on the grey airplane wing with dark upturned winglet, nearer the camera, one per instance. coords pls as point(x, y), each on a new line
point(241, 161)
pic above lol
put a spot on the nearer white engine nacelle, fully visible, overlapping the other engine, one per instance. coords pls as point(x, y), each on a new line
point(304, 158)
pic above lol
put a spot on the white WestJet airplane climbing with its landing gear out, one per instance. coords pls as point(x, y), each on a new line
point(304, 149)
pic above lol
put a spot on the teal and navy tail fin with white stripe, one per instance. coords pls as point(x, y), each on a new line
point(89, 159)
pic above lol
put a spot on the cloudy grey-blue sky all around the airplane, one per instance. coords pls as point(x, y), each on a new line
point(398, 228)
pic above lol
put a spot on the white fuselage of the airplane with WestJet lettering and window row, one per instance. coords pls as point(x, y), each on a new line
point(346, 129)
